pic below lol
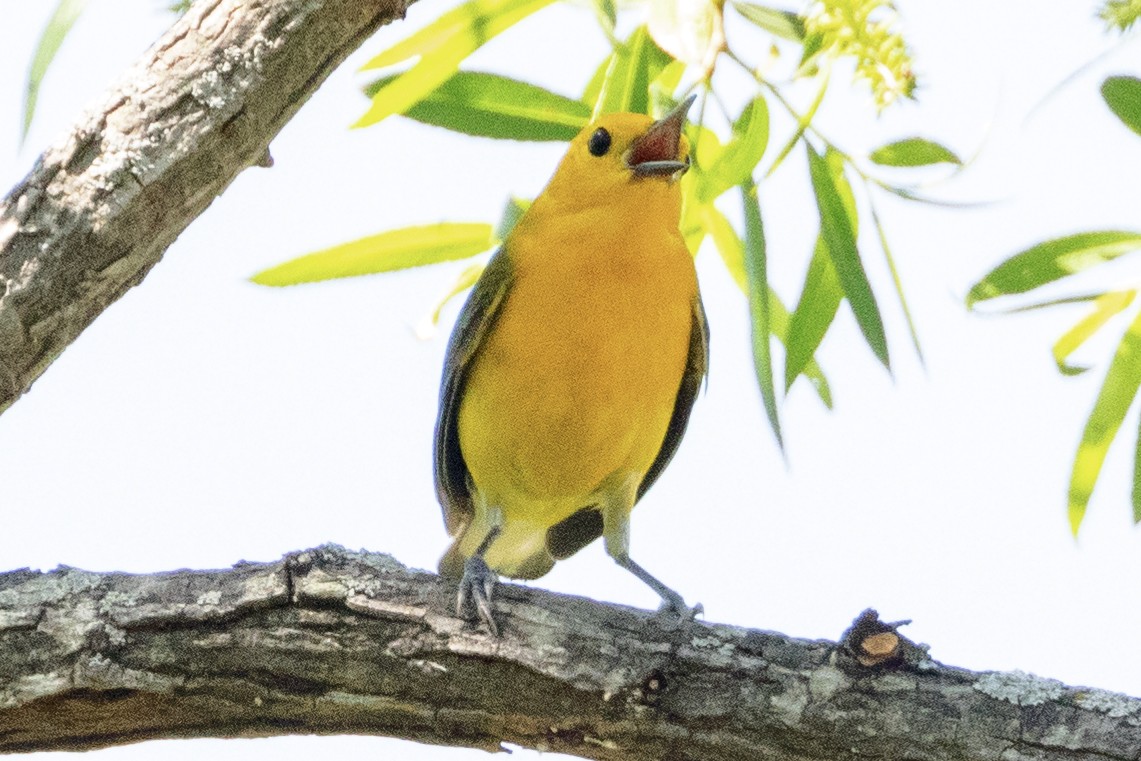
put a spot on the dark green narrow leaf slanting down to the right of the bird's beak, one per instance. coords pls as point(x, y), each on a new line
point(839, 236)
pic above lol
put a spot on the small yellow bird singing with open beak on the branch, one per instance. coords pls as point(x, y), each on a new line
point(573, 366)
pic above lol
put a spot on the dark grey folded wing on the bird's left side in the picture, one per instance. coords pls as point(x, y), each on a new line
point(472, 327)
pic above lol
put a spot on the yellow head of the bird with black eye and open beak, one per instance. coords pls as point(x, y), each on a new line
point(622, 159)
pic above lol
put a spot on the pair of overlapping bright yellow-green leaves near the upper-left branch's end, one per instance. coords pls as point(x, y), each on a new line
point(441, 46)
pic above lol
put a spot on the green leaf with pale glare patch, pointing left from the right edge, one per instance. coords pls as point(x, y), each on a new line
point(1053, 261)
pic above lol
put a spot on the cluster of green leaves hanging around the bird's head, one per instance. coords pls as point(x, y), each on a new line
point(656, 67)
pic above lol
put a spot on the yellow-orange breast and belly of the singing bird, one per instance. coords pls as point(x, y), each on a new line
point(574, 387)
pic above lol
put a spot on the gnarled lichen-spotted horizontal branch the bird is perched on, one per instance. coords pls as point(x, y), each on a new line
point(331, 642)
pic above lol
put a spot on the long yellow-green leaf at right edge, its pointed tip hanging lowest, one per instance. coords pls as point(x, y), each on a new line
point(1110, 411)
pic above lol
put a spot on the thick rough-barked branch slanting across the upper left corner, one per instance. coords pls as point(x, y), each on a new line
point(100, 208)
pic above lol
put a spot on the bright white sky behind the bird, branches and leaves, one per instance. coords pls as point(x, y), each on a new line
point(203, 420)
